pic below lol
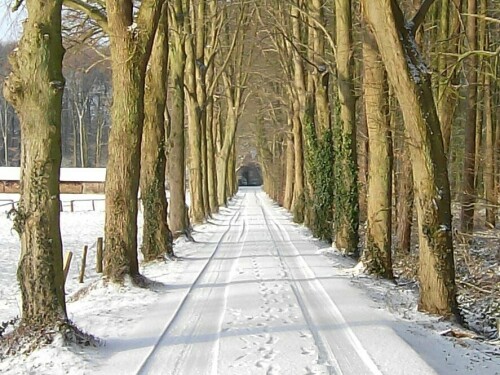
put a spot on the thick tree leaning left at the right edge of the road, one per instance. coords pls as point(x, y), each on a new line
point(411, 81)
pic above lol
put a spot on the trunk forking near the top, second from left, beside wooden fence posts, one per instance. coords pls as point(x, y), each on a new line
point(130, 51)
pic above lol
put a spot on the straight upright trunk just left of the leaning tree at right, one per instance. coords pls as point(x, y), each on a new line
point(377, 253)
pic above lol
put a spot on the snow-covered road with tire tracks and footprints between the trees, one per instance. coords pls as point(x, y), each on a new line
point(263, 300)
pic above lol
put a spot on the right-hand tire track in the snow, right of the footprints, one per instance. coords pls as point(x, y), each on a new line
point(310, 293)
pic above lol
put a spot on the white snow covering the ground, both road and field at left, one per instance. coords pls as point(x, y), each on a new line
point(254, 294)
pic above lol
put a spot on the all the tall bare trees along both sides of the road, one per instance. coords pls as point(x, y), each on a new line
point(339, 88)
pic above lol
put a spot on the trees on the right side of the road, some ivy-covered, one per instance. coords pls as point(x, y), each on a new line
point(375, 103)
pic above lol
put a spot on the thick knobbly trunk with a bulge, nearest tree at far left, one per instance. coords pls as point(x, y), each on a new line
point(35, 88)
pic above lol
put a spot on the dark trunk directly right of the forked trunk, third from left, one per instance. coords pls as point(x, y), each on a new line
point(157, 239)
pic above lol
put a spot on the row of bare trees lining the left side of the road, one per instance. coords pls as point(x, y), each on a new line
point(178, 72)
